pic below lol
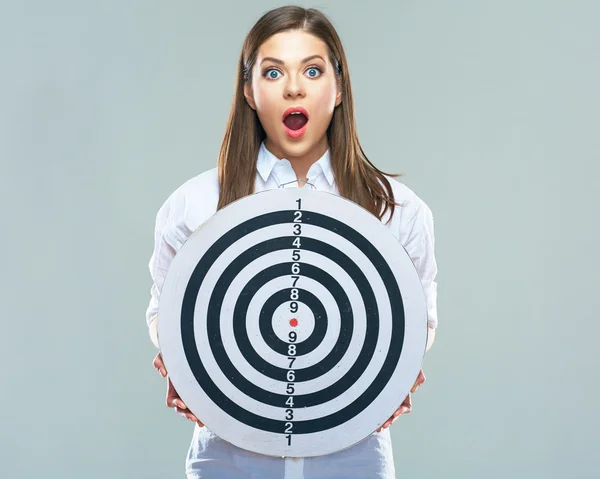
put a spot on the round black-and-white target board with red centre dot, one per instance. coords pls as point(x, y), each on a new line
point(292, 323)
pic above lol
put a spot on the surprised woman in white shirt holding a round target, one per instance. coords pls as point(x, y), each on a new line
point(291, 122)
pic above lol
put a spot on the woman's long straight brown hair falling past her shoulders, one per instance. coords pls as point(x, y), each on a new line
point(356, 177)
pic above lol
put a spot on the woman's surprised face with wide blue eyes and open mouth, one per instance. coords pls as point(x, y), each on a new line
point(292, 69)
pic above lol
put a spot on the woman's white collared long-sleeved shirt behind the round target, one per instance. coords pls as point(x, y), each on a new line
point(193, 203)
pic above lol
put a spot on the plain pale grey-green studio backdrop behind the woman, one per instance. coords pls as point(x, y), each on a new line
point(489, 108)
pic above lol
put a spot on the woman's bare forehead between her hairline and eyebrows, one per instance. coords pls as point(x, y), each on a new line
point(292, 46)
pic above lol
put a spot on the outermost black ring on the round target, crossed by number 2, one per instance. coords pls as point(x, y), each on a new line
point(307, 426)
